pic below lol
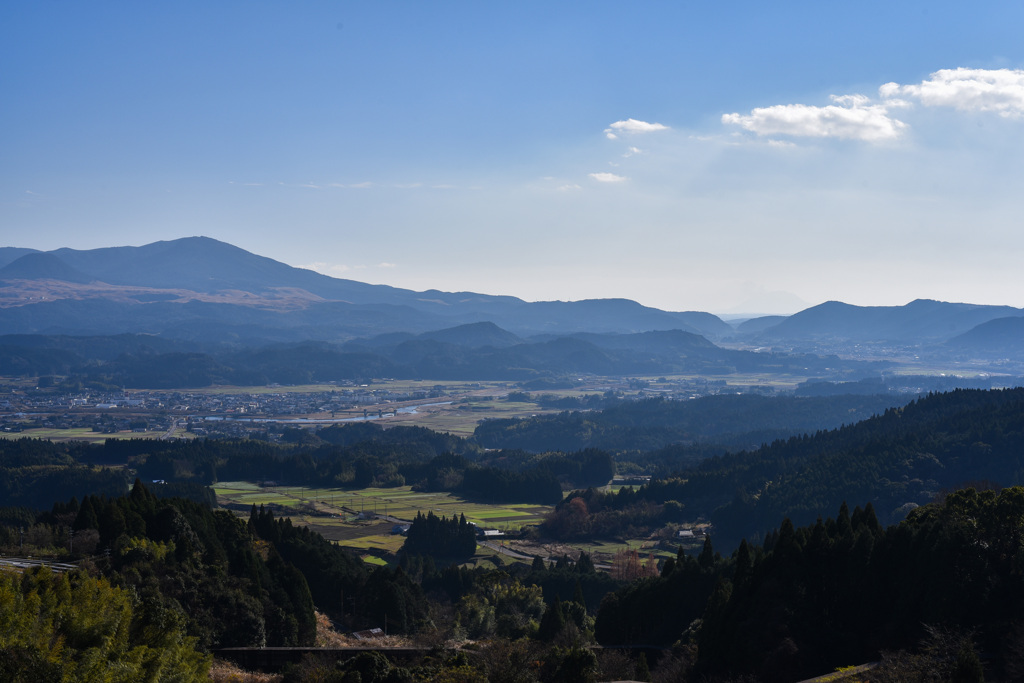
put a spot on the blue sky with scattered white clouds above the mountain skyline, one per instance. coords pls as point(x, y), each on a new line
point(707, 156)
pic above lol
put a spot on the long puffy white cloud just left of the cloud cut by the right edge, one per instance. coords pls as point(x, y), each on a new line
point(850, 117)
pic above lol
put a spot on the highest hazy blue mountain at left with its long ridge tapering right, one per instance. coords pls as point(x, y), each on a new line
point(170, 288)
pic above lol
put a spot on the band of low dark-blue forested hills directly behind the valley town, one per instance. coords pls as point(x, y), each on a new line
point(156, 363)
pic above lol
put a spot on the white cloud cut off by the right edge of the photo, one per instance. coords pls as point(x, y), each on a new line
point(999, 91)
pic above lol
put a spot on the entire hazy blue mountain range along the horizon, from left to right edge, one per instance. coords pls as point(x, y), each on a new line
point(207, 292)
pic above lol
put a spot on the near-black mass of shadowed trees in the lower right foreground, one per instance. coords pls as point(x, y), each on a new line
point(846, 591)
